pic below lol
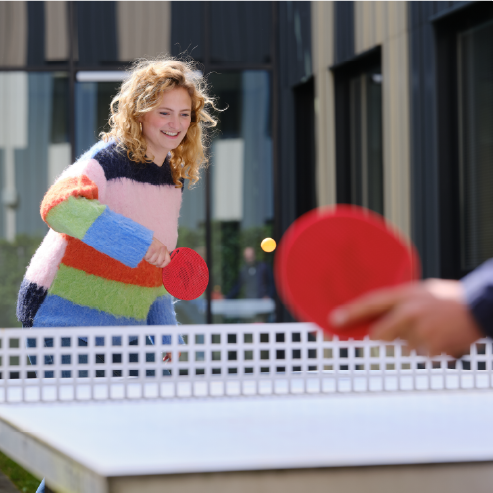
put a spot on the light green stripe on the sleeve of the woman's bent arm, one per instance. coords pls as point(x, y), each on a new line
point(74, 216)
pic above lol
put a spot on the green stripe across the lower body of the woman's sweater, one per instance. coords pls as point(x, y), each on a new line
point(116, 298)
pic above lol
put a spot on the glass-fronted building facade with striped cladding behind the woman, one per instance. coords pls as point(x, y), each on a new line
point(61, 62)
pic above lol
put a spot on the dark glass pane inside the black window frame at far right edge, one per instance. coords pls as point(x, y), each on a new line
point(475, 74)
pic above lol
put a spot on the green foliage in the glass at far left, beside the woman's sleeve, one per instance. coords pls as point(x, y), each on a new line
point(14, 258)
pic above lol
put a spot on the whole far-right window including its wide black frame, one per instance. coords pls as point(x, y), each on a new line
point(464, 91)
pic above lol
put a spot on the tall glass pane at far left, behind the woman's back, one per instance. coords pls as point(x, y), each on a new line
point(34, 150)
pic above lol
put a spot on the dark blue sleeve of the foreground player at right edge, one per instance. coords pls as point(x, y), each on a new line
point(478, 287)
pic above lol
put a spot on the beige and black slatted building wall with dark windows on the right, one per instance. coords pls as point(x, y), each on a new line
point(404, 118)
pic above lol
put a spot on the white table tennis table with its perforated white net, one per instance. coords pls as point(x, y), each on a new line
point(328, 420)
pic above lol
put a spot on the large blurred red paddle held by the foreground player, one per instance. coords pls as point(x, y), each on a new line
point(330, 256)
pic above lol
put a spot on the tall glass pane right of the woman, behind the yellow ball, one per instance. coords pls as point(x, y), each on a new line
point(242, 199)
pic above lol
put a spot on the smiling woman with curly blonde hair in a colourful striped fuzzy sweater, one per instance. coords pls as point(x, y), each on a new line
point(113, 215)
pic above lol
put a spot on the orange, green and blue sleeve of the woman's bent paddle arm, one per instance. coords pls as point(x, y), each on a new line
point(71, 206)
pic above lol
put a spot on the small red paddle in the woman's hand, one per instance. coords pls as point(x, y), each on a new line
point(186, 276)
